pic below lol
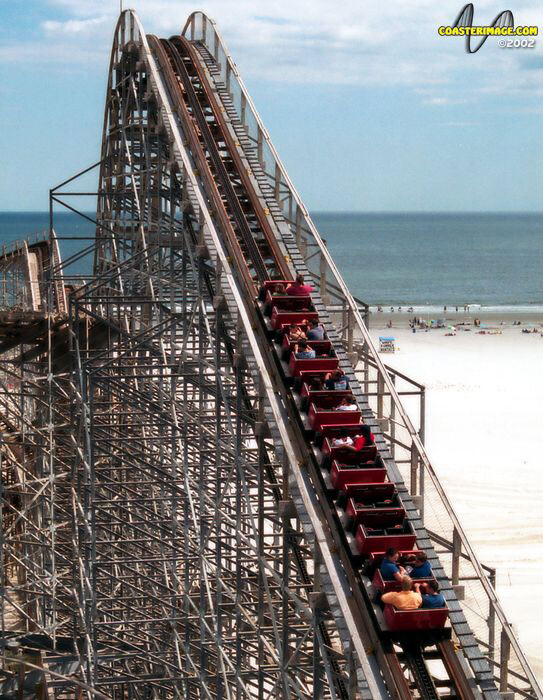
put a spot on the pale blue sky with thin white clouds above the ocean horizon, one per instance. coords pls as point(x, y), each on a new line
point(368, 107)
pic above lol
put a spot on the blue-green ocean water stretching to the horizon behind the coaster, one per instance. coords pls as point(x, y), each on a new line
point(420, 260)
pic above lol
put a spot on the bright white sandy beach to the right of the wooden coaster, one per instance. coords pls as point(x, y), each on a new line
point(486, 391)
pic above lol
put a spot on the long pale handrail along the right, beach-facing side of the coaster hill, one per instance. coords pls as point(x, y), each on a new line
point(489, 590)
